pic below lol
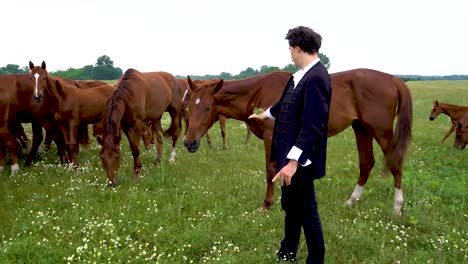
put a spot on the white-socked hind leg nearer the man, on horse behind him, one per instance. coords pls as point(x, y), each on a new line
point(366, 160)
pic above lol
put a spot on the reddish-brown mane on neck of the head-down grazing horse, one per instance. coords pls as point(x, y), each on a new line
point(115, 109)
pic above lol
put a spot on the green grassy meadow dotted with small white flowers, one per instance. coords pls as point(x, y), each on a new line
point(203, 207)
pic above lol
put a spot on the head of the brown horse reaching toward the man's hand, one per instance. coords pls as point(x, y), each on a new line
point(202, 111)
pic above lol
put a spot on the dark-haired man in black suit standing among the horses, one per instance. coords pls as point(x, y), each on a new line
point(300, 143)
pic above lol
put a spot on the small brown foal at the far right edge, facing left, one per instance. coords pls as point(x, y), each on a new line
point(455, 112)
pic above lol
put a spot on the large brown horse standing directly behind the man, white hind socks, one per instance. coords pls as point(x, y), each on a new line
point(367, 100)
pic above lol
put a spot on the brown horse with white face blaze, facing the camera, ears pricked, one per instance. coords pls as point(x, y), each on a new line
point(71, 106)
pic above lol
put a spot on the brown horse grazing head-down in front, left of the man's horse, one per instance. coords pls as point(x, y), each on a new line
point(139, 98)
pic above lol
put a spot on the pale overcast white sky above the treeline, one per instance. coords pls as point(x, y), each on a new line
point(198, 37)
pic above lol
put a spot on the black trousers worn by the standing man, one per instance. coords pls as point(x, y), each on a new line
point(300, 207)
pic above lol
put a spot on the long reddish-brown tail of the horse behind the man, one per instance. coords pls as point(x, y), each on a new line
point(402, 134)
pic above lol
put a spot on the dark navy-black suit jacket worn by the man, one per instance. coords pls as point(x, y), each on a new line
point(311, 120)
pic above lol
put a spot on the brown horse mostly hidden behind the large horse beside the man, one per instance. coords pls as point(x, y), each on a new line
point(220, 118)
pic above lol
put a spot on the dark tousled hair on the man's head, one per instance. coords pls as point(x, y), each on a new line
point(305, 38)
